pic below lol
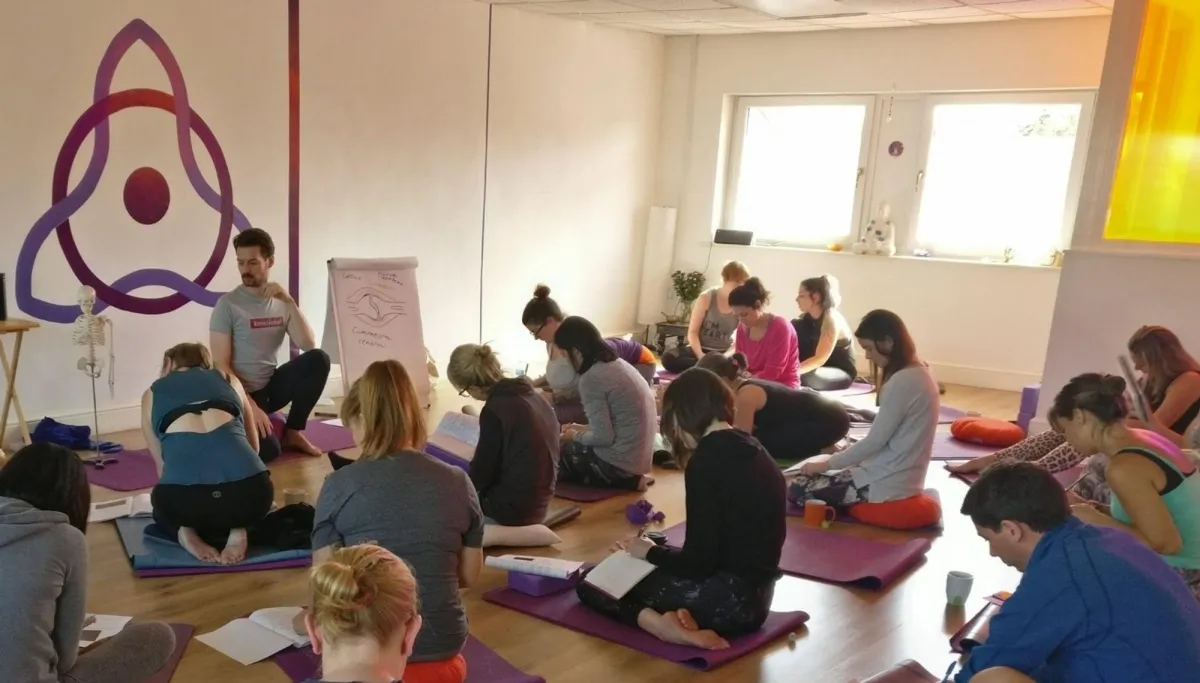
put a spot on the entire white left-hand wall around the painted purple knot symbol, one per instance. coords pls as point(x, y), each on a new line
point(394, 122)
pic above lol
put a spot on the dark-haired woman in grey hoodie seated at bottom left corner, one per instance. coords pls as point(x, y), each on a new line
point(44, 582)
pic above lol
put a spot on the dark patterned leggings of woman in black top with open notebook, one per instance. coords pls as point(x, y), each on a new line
point(724, 603)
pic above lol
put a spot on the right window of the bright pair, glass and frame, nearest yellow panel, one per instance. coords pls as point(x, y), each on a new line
point(1001, 172)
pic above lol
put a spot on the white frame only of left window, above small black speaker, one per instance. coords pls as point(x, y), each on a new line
point(867, 146)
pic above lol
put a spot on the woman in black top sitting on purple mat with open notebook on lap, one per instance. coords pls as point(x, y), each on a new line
point(722, 583)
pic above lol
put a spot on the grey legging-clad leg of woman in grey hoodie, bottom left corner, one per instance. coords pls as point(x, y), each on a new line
point(133, 656)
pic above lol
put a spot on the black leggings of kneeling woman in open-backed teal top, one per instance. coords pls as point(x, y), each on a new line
point(213, 510)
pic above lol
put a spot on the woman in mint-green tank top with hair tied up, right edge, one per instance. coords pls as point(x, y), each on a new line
point(1156, 489)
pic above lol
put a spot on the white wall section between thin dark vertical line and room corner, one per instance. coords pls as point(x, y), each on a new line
point(571, 171)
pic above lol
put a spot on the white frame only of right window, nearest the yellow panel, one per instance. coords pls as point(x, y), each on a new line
point(1087, 99)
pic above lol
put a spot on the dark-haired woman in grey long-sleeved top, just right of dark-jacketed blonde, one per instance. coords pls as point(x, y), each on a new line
point(614, 451)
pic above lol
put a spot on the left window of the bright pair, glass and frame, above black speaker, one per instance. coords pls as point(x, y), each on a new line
point(800, 166)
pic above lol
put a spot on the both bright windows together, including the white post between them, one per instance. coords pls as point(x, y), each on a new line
point(982, 176)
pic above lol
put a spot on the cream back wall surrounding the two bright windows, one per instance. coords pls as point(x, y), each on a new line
point(981, 325)
